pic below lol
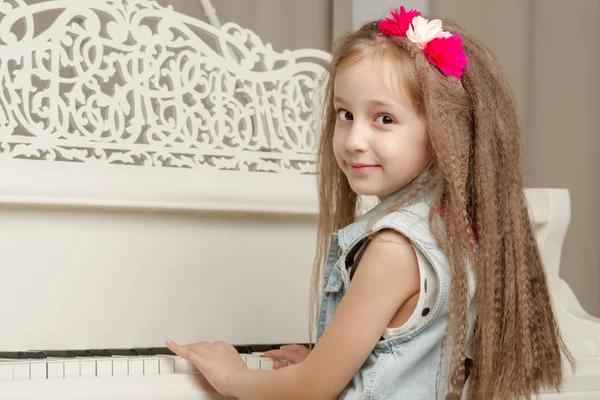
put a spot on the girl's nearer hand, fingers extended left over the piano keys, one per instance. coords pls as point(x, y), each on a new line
point(216, 361)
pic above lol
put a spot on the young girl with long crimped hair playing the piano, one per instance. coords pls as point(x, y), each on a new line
point(440, 282)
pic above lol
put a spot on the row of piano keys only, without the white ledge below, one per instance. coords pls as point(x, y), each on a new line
point(43, 365)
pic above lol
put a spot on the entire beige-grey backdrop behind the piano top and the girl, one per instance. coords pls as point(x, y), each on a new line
point(550, 50)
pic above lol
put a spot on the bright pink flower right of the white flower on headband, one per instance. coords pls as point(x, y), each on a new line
point(447, 54)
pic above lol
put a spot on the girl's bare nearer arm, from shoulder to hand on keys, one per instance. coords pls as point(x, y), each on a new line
point(386, 277)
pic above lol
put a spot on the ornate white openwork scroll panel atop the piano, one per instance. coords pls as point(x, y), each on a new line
point(131, 82)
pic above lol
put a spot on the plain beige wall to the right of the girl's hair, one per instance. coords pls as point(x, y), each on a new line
point(550, 50)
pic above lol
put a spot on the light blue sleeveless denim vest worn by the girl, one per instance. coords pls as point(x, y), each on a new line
point(404, 367)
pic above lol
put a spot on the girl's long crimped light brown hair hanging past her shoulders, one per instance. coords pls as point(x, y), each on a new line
point(476, 172)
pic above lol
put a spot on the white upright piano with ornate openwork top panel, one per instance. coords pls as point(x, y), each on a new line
point(157, 181)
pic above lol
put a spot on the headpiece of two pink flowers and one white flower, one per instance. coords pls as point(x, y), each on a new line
point(443, 49)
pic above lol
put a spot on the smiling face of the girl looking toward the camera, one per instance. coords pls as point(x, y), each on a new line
point(380, 141)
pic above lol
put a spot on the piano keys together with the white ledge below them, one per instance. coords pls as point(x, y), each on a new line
point(131, 374)
